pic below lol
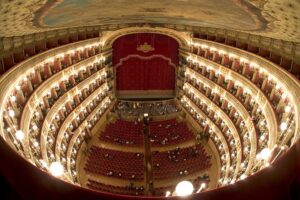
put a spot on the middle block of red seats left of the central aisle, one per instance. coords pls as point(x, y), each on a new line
point(118, 164)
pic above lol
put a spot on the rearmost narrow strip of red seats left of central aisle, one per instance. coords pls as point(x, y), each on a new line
point(126, 190)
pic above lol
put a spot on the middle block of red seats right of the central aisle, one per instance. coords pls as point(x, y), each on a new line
point(179, 162)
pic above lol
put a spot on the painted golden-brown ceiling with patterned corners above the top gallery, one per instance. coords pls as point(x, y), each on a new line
point(273, 18)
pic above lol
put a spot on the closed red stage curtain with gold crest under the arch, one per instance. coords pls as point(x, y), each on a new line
point(139, 69)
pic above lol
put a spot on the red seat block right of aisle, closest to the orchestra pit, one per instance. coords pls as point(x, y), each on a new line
point(169, 132)
